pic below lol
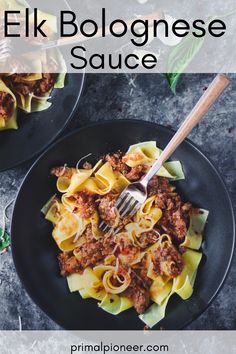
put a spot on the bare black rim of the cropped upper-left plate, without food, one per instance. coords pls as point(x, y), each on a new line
point(37, 130)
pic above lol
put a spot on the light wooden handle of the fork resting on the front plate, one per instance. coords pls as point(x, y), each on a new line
point(209, 97)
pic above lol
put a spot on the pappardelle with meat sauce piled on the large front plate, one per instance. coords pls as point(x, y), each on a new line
point(148, 257)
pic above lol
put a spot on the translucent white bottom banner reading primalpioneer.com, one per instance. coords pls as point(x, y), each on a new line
point(110, 342)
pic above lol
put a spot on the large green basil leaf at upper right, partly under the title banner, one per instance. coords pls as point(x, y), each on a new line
point(180, 57)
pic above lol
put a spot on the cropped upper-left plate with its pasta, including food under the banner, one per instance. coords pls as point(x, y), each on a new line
point(35, 106)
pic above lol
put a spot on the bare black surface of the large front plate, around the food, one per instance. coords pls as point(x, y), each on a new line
point(35, 253)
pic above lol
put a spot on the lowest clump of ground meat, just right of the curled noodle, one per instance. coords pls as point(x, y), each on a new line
point(138, 292)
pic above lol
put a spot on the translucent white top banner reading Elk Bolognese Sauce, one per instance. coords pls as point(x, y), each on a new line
point(118, 36)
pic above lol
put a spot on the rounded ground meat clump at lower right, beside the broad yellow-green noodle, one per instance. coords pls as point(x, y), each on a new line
point(167, 260)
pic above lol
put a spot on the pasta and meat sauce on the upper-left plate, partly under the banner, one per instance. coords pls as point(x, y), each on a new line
point(30, 92)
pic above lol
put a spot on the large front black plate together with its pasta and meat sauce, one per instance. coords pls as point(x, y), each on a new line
point(156, 268)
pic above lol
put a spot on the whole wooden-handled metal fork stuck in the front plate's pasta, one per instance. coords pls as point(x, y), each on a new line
point(133, 196)
